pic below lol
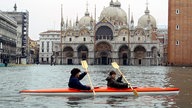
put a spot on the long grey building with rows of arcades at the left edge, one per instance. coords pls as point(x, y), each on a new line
point(8, 37)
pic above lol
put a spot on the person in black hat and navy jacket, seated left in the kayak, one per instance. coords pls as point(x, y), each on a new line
point(74, 81)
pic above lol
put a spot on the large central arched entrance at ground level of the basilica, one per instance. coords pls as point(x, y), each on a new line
point(103, 53)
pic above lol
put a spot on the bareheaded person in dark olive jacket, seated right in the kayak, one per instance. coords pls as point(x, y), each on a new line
point(115, 83)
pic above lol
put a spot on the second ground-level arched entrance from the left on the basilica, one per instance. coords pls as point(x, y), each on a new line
point(82, 52)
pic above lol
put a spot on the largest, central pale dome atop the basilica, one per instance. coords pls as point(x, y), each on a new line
point(114, 12)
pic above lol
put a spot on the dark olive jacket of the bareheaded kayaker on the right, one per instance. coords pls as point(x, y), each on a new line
point(116, 83)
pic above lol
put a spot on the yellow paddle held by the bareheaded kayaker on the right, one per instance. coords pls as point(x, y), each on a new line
point(116, 66)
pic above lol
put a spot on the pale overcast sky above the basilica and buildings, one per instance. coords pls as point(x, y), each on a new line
point(46, 14)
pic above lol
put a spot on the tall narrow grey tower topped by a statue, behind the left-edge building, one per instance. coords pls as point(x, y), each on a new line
point(22, 19)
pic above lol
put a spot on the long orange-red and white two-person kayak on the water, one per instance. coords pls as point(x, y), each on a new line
point(106, 91)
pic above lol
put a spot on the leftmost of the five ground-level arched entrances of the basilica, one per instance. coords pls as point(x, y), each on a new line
point(68, 54)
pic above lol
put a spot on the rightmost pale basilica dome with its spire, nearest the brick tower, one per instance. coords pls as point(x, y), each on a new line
point(146, 20)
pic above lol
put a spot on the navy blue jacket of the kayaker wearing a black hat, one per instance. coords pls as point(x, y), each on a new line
point(75, 83)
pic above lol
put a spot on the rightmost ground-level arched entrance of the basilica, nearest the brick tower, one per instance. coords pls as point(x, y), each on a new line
point(139, 55)
